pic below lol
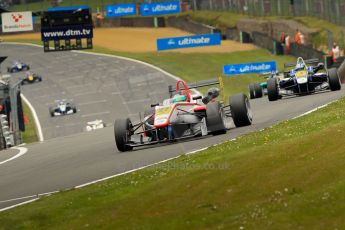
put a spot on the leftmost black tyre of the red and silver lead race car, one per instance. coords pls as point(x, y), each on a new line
point(122, 134)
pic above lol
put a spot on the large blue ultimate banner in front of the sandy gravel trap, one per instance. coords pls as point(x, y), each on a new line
point(188, 41)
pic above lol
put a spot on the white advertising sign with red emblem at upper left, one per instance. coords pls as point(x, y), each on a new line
point(17, 22)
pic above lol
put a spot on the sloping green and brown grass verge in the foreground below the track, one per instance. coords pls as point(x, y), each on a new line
point(289, 176)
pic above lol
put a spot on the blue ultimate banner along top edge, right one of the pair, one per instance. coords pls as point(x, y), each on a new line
point(159, 8)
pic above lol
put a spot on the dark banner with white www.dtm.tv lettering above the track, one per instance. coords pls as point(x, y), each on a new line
point(70, 32)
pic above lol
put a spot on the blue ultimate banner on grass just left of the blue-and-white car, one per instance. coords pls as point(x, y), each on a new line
point(257, 67)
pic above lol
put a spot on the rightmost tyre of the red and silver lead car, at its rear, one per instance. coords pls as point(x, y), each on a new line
point(240, 110)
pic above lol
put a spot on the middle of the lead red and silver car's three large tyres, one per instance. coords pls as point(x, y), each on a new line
point(215, 118)
